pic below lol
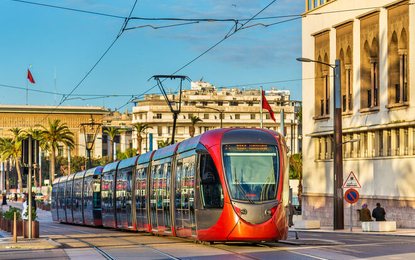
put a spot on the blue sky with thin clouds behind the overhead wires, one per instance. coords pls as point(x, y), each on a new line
point(71, 43)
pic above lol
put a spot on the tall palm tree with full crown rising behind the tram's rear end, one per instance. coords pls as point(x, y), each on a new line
point(56, 133)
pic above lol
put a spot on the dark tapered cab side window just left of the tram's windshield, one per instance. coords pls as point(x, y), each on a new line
point(210, 185)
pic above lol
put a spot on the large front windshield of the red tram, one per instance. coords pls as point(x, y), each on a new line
point(252, 171)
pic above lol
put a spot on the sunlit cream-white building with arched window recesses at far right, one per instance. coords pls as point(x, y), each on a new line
point(371, 39)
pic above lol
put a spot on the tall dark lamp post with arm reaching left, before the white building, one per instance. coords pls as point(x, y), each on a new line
point(338, 214)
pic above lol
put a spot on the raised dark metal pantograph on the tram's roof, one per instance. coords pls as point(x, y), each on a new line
point(175, 111)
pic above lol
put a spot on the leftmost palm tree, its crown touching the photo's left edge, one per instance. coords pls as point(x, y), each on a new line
point(10, 149)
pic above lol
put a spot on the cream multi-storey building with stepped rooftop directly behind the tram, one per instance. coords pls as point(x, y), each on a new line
point(238, 108)
